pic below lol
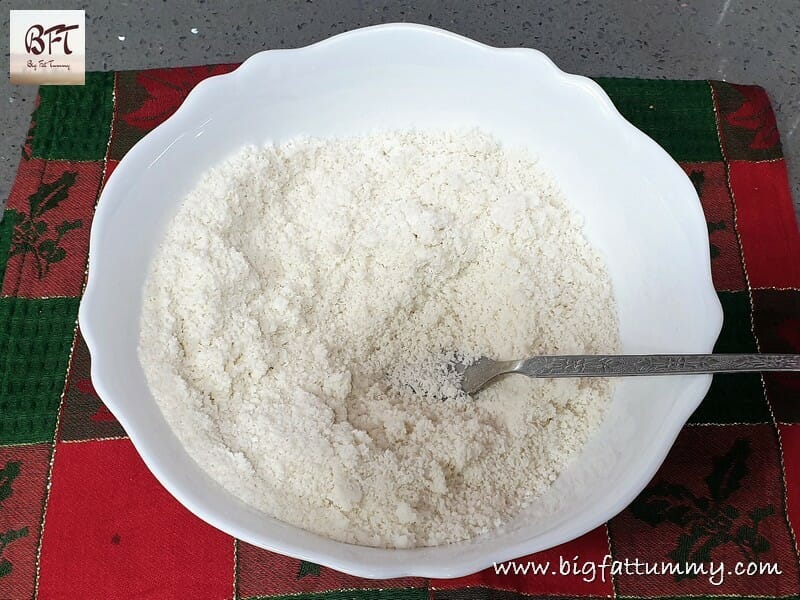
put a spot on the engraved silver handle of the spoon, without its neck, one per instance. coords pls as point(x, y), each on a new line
point(654, 364)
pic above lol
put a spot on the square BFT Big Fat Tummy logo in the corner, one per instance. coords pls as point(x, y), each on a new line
point(48, 47)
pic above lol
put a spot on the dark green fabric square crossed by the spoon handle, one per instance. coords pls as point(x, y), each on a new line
point(735, 398)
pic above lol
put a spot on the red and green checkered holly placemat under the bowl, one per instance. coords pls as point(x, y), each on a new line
point(81, 516)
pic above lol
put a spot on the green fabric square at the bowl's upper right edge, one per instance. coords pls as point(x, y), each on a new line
point(679, 115)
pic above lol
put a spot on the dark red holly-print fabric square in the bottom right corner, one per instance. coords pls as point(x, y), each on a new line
point(715, 500)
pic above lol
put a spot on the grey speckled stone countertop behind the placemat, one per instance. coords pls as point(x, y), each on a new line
point(755, 42)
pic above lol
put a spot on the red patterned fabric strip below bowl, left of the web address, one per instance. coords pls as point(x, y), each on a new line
point(264, 573)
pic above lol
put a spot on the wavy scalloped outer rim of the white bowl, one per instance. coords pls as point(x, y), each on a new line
point(440, 562)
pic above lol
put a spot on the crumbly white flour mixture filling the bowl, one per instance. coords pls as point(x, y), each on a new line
point(298, 312)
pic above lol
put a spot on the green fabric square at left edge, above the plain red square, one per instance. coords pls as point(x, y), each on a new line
point(35, 342)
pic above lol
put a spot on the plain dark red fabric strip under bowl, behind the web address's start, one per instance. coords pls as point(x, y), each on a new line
point(587, 549)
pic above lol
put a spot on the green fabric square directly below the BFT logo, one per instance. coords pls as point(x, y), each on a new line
point(73, 122)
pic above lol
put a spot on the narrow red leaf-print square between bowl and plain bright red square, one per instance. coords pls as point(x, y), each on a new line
point(710, 179)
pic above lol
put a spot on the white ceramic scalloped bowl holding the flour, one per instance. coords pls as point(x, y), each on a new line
point(640, 209)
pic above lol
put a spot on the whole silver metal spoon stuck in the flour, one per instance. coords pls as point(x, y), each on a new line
point(477, 375)
